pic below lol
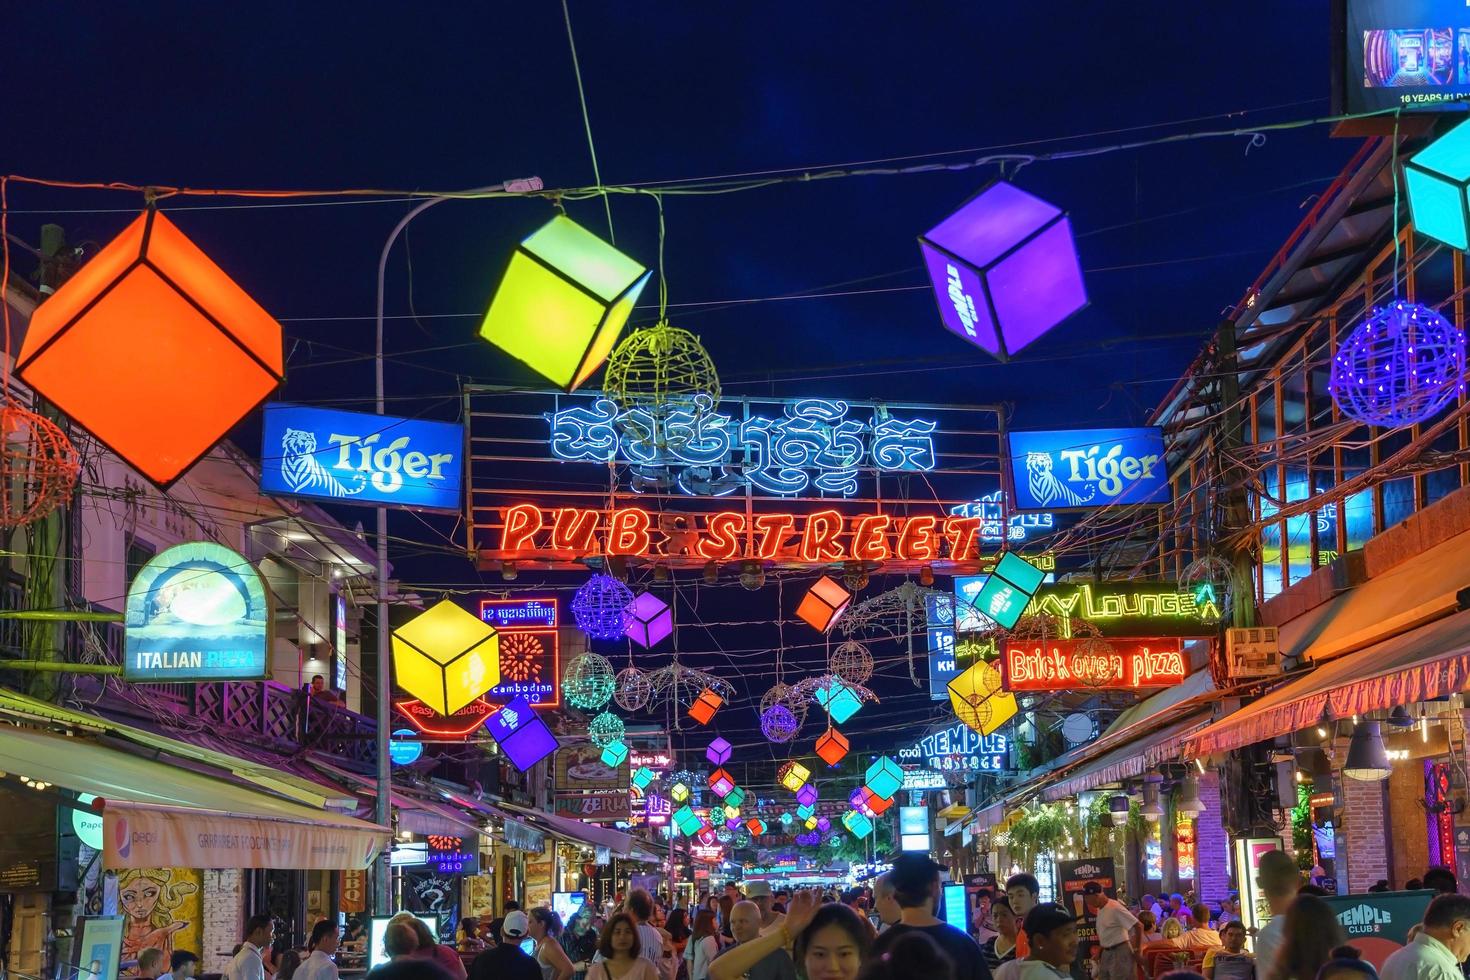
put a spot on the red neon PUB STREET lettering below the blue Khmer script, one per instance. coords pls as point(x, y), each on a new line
point(818, 538)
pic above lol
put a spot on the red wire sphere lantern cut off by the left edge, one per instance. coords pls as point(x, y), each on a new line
point(39, 466)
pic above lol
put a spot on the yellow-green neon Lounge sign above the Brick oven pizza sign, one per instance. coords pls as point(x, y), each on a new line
point(1136, 609)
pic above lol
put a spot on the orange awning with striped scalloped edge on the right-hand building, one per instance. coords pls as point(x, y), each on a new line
point(1431, 662)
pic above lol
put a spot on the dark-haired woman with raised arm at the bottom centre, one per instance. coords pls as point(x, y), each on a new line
point(830, 943)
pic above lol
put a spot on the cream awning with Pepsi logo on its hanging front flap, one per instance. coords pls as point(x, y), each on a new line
point(162, 816)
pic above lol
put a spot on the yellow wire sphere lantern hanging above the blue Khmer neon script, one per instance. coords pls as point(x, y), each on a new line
point(661, 368)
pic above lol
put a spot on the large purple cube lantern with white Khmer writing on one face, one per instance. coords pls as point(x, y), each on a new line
point(1005, 270)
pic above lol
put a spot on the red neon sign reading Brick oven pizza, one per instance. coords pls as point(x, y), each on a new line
point(1065, 665)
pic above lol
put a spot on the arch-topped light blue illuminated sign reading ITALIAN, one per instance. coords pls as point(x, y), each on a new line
point(196, 612)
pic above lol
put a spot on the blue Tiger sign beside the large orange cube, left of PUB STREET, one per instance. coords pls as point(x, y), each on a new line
point(362, 459)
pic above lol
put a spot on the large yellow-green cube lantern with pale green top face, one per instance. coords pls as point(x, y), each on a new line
point(564, 302)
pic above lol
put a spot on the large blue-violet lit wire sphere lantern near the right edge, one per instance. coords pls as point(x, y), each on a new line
point(1400, 367)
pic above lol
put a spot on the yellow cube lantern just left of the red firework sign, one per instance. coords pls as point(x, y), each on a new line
point(446, 657)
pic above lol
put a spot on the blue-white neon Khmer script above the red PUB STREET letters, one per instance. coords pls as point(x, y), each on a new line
point(812, 446)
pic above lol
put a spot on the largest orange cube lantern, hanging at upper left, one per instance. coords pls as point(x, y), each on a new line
point(154, 349)
